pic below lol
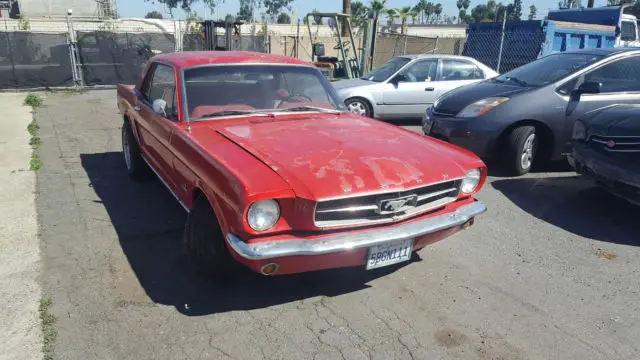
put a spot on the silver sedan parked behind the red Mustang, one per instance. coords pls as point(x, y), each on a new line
point(403, 87)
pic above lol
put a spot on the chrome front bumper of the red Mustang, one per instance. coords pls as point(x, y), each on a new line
point(365, 238)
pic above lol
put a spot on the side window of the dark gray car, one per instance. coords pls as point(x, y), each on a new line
point(619, 76)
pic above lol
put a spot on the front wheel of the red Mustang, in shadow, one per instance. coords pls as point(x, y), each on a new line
point(205, 244)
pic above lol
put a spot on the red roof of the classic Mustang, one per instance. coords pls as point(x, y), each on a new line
point(195, 58)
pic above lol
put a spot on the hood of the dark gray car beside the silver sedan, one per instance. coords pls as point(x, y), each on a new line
point(456, 100)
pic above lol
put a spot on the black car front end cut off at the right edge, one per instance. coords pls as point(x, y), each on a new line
point(606, 148)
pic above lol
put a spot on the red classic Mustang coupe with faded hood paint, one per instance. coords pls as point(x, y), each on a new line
point(278, 176)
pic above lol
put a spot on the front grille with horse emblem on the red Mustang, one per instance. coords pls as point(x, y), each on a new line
point(385, 207)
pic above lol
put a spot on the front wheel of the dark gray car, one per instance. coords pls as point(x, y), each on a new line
point(521, 147)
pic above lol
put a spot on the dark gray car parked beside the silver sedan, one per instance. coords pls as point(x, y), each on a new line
point(528, 113)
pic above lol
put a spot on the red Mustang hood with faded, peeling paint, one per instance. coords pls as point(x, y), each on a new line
point(323, 156)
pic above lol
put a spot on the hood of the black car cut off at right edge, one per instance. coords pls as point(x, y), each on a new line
point(618, 120)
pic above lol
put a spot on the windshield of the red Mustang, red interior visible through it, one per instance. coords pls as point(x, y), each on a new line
point(216, 91)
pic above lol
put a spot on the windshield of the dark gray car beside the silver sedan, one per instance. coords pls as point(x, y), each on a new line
point(548, 69)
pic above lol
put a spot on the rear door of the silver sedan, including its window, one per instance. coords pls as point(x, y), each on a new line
point(455, 73)
